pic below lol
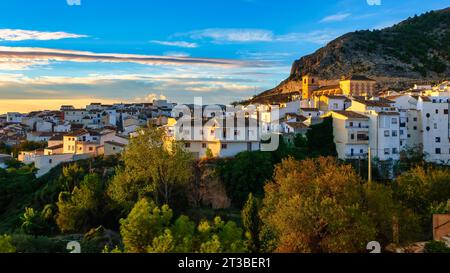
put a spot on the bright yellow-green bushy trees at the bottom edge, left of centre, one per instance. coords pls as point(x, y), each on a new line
point(149, 228)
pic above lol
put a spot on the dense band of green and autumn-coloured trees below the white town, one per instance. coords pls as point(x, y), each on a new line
point(292, 200)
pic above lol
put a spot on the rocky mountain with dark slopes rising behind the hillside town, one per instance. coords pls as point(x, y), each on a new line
point(415, 50)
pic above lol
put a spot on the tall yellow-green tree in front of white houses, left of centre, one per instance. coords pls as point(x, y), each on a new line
point(153, 165)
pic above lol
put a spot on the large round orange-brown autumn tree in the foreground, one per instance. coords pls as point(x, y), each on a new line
point(315, 205)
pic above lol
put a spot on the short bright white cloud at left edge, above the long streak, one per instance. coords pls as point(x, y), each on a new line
point(23, 35)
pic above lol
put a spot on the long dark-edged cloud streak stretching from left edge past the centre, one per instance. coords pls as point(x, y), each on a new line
point(20, 58)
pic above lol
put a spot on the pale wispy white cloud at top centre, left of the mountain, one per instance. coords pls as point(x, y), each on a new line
point(231, 35)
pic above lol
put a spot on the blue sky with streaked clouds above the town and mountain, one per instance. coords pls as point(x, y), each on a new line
point(55, 52)
